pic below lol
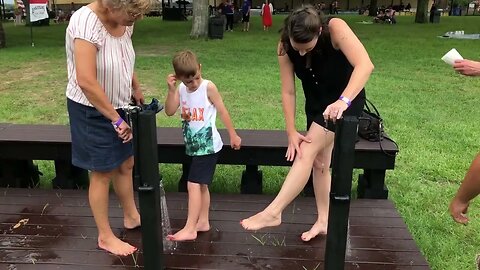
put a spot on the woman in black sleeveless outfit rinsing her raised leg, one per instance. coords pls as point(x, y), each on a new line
point(333, 67)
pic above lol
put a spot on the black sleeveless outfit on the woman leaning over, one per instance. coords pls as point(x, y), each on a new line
point(324, 72)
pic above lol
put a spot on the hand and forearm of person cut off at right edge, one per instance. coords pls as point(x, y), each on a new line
point(470, 187)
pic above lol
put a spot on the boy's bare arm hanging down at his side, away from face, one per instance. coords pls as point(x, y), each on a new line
point(216, 99)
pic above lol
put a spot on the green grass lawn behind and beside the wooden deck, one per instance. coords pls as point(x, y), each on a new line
point(428, 109)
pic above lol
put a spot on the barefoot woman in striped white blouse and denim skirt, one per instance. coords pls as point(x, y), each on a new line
point(101, 80)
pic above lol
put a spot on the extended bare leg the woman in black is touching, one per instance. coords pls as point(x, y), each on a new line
point(296, 179)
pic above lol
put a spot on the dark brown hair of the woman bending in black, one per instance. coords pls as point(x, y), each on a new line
point(302, 26)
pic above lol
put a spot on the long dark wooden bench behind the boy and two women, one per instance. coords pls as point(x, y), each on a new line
point(20, 142)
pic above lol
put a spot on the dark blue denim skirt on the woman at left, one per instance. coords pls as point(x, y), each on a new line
point(95, 143)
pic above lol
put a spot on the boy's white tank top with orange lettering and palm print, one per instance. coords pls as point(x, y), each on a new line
point(198, 121)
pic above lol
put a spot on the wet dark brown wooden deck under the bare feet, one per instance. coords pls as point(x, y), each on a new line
point(58, 232)
